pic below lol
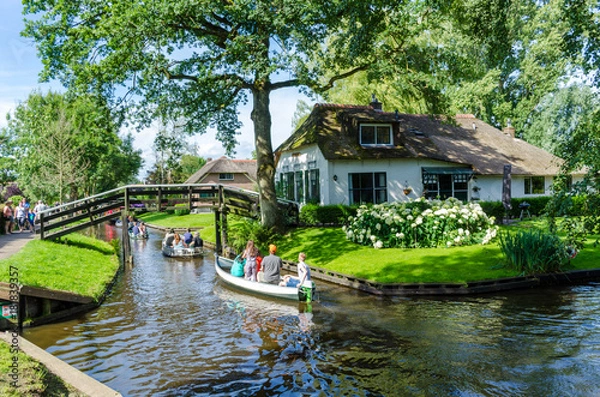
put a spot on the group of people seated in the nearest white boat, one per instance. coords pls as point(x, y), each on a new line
point(268, 269)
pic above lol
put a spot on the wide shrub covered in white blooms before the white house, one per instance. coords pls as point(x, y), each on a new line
point(421, 223)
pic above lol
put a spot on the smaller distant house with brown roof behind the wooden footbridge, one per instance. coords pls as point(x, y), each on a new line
point(225, 171)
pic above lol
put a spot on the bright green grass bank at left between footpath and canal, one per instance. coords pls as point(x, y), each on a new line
point(77, 264)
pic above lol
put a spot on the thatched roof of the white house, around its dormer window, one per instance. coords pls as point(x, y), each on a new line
point(470, 142)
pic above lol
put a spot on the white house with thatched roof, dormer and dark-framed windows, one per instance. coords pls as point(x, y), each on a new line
point(359, 154)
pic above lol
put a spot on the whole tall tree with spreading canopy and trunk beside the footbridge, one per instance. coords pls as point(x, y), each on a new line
point(200, 59)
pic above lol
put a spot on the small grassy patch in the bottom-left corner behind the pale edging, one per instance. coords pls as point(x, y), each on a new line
point(34, 378)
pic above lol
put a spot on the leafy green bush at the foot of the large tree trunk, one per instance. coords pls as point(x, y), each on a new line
point(248, 229)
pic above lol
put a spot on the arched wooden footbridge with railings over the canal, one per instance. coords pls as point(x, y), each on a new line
point(118, 203)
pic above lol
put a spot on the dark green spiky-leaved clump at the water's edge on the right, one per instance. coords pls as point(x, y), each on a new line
point(533, 251)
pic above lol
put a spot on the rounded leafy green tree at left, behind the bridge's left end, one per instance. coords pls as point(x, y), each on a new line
point(68, 147)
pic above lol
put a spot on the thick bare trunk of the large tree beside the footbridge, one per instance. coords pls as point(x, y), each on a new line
point(261, 117)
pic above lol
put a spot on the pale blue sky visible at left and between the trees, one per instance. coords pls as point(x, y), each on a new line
point(19, 69)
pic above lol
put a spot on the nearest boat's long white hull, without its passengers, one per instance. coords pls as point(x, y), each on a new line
point(223, 267)
